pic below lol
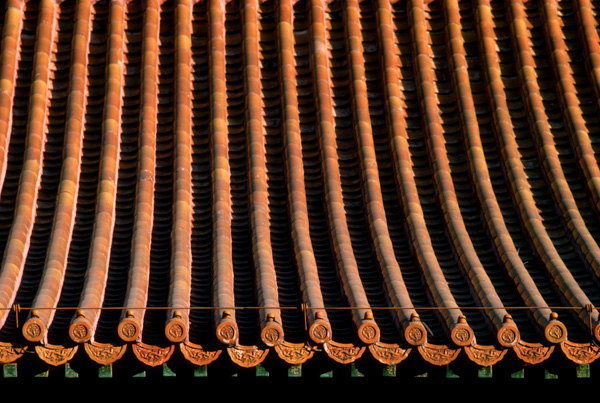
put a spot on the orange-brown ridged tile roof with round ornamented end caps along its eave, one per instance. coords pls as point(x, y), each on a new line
point(352, 180)
